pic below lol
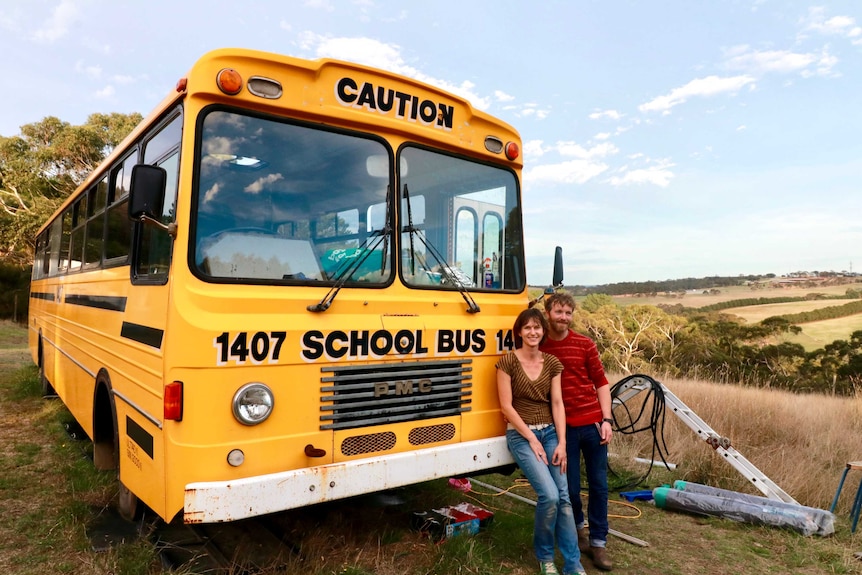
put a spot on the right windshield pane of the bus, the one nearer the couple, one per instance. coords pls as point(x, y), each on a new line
point(453, 223)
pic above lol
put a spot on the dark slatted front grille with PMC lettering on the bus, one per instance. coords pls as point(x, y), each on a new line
point(365, 395)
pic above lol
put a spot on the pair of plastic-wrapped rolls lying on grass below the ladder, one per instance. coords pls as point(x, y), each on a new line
point(758, 510)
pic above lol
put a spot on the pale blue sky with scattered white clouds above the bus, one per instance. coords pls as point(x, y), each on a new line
point(662, 139)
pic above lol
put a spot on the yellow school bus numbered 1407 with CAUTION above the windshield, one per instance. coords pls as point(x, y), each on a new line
point(288, 285)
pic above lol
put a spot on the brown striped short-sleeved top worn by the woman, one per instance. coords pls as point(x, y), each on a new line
point(531, 398)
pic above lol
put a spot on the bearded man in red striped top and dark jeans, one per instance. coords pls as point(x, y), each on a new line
point(589, 423)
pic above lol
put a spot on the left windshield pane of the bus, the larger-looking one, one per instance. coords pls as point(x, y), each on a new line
point(280, 202)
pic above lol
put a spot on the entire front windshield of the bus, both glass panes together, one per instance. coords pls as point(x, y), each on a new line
point(278, 202)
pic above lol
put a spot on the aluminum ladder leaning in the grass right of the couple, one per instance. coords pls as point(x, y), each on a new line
point(637, 383)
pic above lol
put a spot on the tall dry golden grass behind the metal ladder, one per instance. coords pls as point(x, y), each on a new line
point(801, 442)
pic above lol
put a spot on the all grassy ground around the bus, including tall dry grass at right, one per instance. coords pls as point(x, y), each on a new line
point(50, 495)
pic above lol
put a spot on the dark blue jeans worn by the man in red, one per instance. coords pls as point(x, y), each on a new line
point(586, 440)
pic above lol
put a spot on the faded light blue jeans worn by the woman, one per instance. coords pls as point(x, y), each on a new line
point(554, 518)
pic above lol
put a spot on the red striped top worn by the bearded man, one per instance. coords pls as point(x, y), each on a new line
point(583, 374)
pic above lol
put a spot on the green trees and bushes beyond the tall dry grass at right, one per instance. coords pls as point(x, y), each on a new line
point(683, 342)
